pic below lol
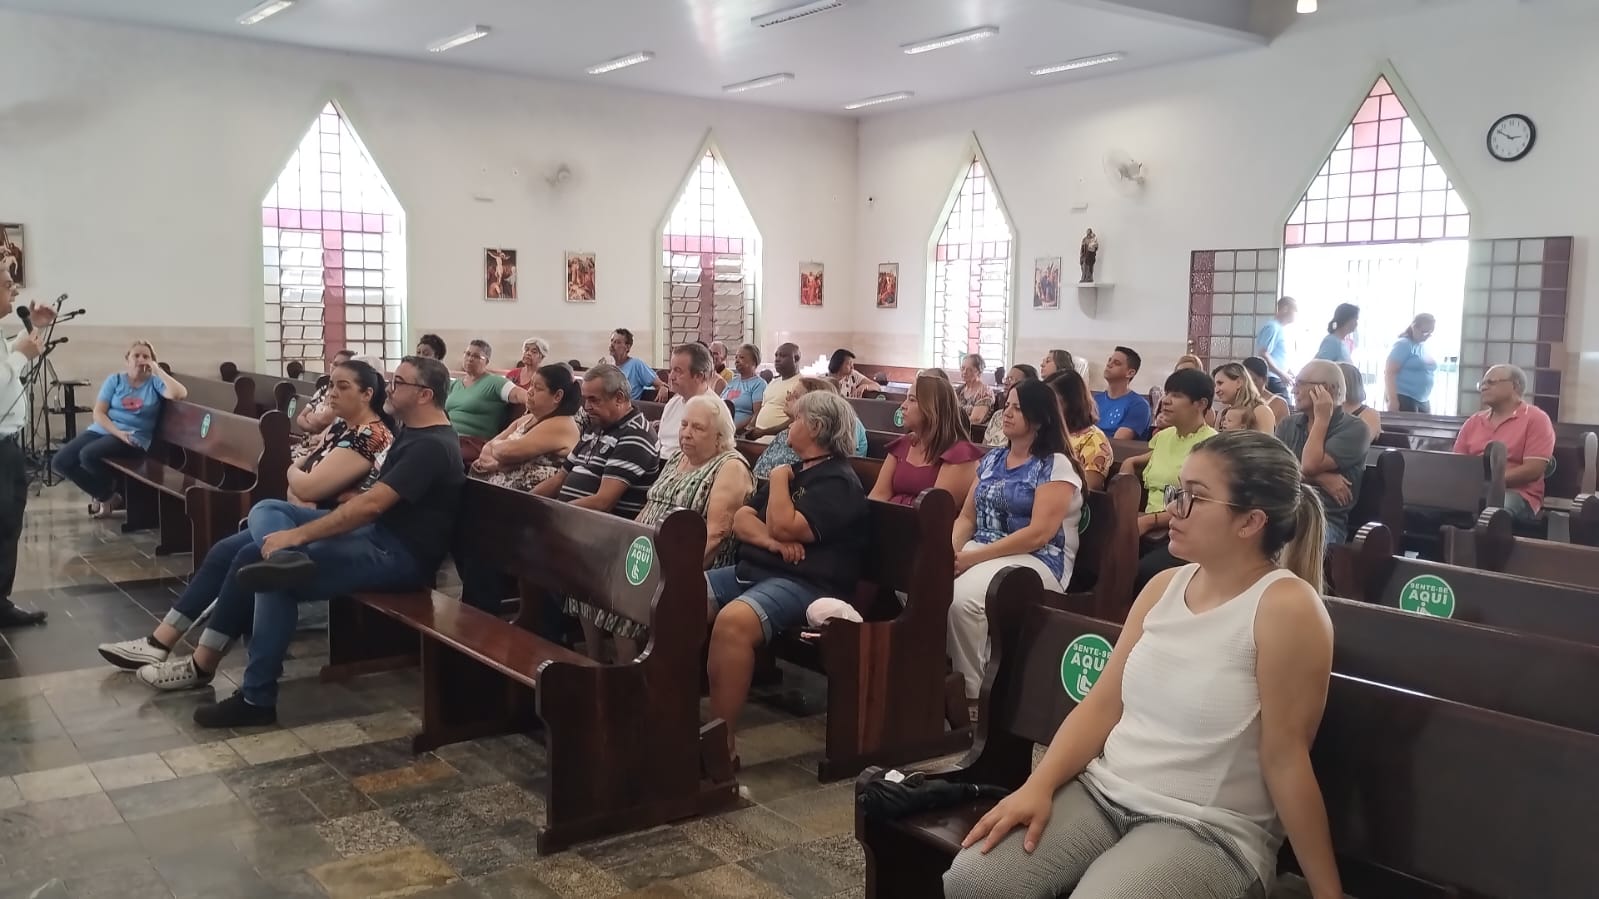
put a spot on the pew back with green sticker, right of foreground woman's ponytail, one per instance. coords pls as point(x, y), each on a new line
point(1368, 572)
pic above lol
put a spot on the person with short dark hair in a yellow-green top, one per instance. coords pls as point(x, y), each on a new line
point(1187, 404)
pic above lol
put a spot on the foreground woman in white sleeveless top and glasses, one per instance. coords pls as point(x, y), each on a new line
point(1190, 759)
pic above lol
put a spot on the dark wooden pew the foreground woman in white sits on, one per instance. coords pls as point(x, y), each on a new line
point(1410, 807)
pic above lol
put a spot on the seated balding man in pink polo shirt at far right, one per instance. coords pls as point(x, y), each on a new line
point(1526, 433)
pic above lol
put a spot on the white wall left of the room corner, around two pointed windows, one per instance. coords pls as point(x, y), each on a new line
point(138, 161)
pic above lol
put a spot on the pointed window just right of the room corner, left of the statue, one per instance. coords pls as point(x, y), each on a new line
point(973, 262)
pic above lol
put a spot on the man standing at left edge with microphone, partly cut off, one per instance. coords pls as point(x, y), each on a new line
point(15, 364)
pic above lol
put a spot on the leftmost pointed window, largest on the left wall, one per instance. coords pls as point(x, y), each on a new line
point(333, 250)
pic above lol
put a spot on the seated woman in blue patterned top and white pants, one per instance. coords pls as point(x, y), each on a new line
point(1023, 509)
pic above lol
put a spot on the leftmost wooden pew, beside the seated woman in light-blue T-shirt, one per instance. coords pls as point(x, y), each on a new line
point(204, 473)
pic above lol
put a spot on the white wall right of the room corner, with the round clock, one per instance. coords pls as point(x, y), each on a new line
point(1232, 145)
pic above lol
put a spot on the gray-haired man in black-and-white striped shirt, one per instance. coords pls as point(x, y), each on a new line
point(615, 461)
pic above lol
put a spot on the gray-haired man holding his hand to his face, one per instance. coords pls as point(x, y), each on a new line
point(1330, 442)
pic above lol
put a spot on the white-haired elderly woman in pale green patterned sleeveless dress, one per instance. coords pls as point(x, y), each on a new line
point(706, 474)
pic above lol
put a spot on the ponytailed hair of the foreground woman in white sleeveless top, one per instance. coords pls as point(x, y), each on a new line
point(1264, 474)
